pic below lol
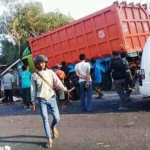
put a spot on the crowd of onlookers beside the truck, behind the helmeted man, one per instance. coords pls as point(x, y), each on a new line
point(123, 73)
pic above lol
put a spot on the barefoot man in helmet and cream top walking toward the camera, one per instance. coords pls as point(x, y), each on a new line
point(43, 82)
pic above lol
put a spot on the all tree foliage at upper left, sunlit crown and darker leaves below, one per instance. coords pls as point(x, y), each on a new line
point(24, 20)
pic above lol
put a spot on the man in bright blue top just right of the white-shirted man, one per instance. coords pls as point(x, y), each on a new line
point(97, 78)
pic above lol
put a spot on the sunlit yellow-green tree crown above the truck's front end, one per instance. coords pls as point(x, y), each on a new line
point(32, 19)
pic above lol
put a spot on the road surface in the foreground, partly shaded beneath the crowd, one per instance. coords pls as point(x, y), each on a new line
point(106, 128)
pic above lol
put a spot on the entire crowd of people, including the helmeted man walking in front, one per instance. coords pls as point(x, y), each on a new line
point(51, 87)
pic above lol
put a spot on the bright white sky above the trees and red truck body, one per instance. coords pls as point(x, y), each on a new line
point(77, 8)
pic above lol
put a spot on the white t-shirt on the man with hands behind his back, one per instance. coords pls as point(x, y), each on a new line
point(82, 68)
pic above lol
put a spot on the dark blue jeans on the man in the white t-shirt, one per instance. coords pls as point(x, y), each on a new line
point(83, 93)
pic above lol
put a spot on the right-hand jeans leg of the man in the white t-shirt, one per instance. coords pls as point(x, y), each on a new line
point(89, 97)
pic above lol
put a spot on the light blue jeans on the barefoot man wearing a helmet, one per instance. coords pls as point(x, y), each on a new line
point(52, 105)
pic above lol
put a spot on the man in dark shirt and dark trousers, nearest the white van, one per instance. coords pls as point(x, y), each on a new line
point(118, 74)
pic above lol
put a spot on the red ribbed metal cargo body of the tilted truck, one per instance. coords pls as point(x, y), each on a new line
point(118, 27)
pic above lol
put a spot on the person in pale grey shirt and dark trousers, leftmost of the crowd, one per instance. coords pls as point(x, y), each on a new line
point(8, 85)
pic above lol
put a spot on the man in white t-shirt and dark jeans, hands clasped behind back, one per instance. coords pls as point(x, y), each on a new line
point(83, 72)
